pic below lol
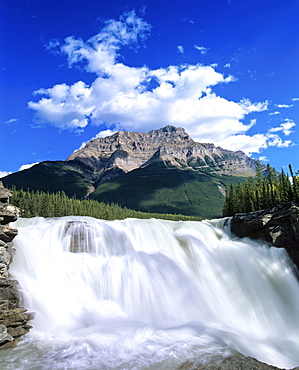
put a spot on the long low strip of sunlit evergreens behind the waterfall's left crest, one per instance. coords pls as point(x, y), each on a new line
point(41, 204)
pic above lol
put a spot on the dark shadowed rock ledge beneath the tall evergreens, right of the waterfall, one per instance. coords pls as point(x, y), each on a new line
point(278, 226)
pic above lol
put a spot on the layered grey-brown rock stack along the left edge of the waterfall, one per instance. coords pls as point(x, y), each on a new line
point(13, 318)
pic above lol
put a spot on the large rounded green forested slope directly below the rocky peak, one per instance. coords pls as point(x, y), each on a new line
point(158, 188)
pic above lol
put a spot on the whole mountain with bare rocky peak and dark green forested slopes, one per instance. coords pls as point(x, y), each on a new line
point(163, 171)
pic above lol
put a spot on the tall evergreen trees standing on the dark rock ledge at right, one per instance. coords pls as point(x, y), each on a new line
point(265, 190)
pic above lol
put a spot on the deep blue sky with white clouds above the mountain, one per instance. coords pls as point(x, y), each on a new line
point(225, 70)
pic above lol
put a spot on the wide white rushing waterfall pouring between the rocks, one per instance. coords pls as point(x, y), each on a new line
point(150, 294)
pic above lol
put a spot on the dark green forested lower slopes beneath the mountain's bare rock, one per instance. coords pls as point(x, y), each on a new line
point(160, 188)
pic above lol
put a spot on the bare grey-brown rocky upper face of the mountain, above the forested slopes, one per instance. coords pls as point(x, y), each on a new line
point(126, 151)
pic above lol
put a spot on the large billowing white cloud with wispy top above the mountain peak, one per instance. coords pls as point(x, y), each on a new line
point(142, 99)
